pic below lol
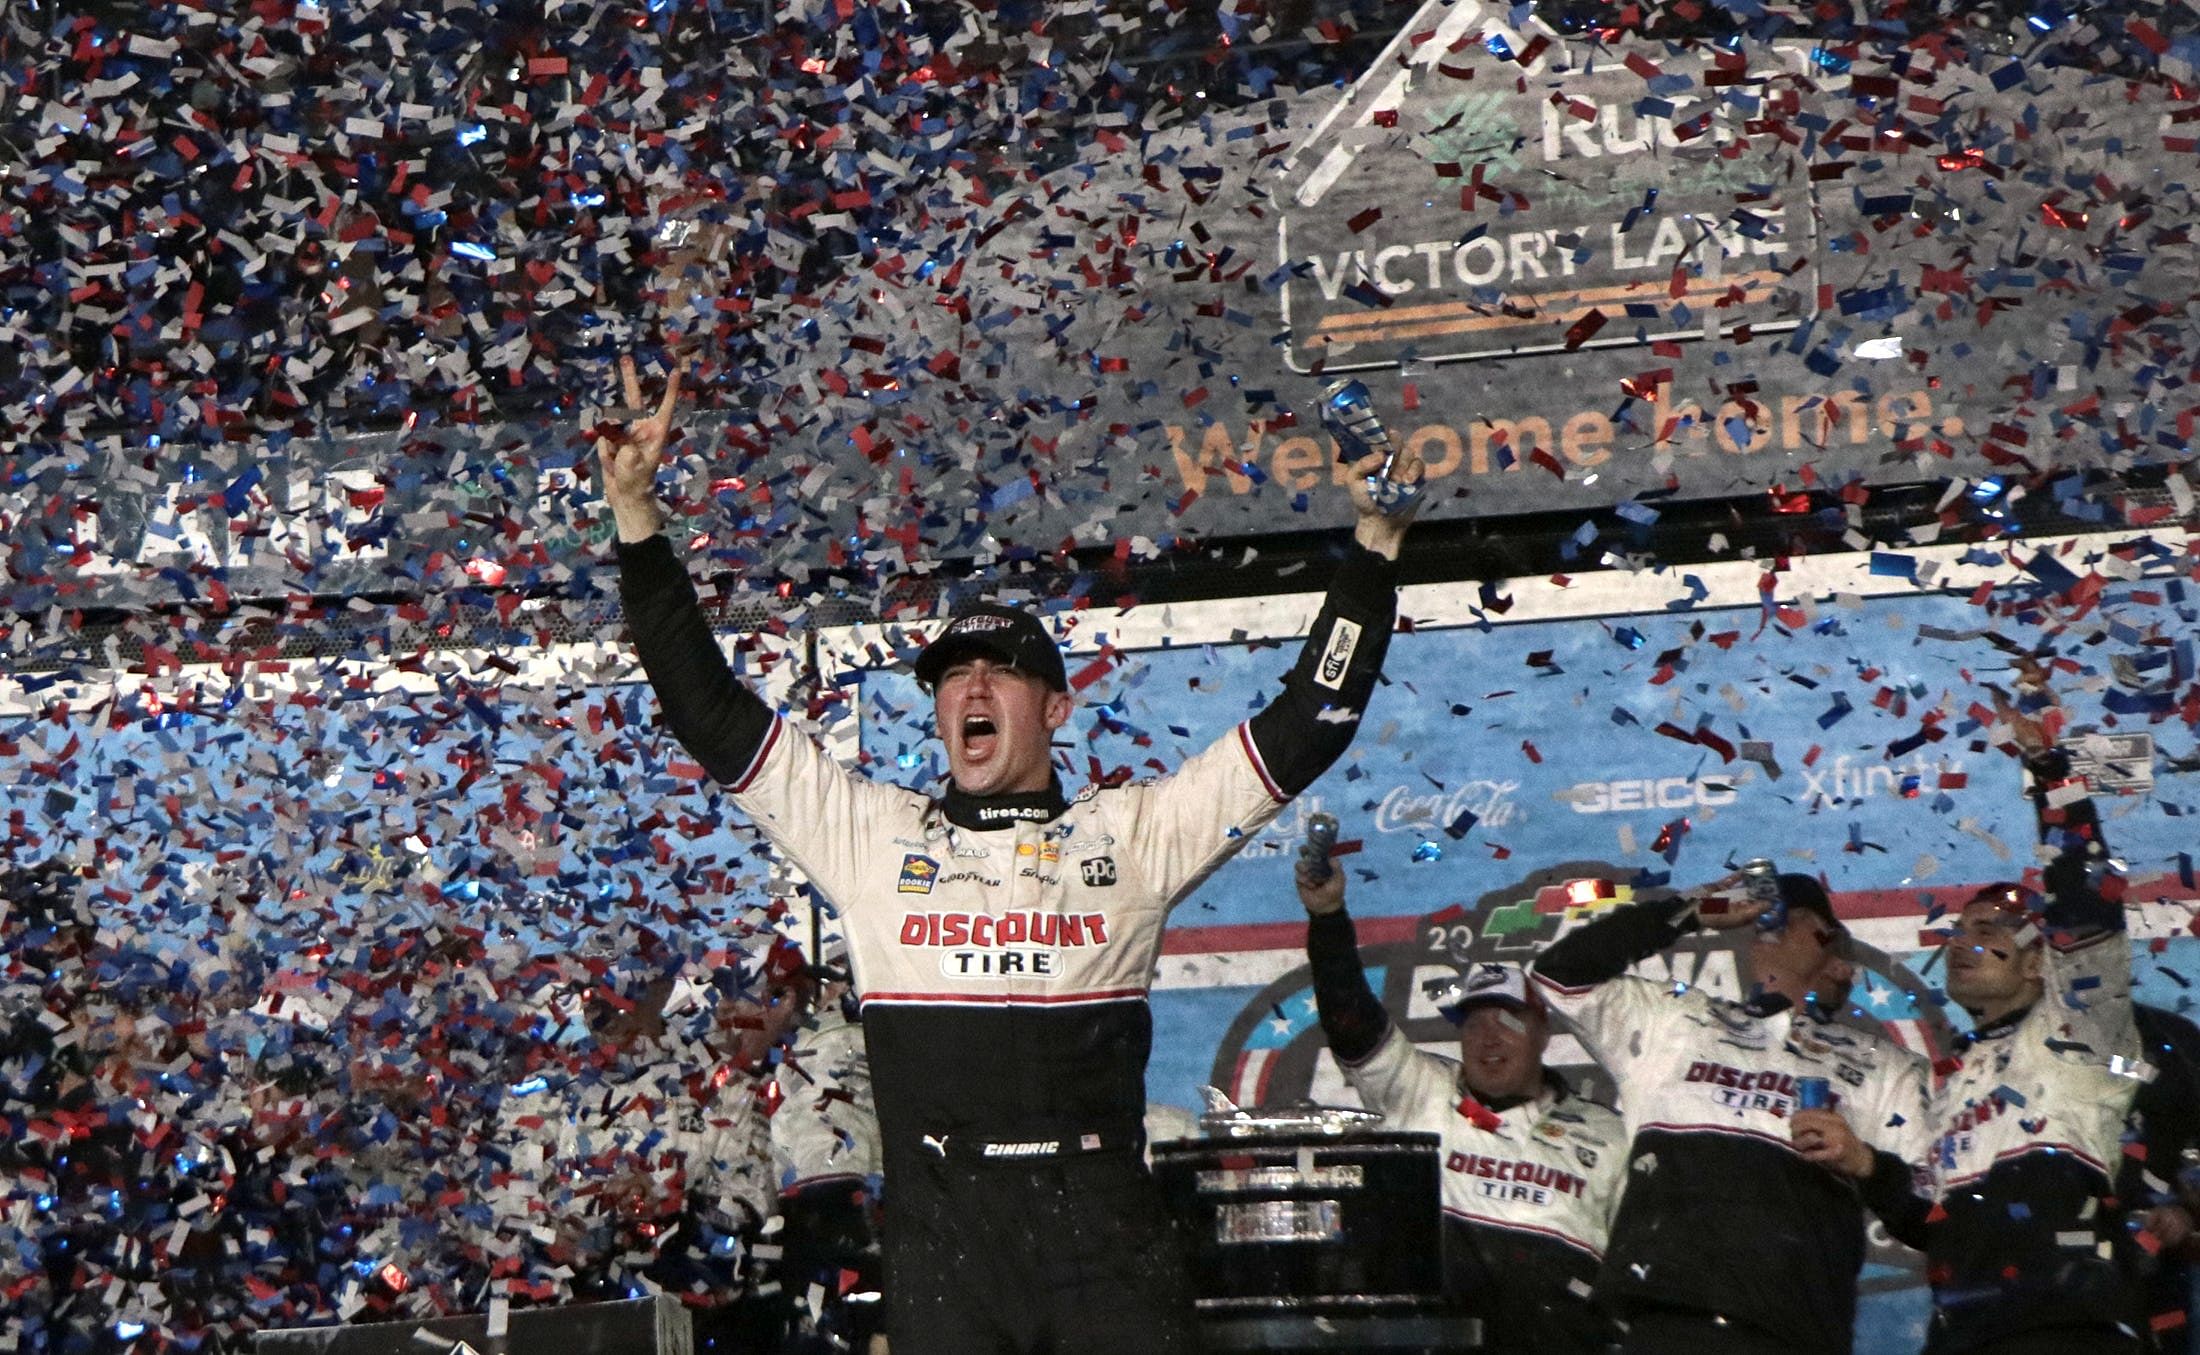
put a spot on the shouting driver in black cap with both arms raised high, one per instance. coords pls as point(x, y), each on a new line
point(1002, 934)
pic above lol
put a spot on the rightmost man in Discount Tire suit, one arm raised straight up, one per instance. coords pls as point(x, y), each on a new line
point(2023, 1222)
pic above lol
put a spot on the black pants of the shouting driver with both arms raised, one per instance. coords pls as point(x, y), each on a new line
point(1064, 1257)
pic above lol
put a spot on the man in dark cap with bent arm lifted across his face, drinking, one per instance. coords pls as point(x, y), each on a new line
point(1728, 1240)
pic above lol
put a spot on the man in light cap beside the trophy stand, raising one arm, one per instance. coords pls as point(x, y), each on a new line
point(1532, 1171)
